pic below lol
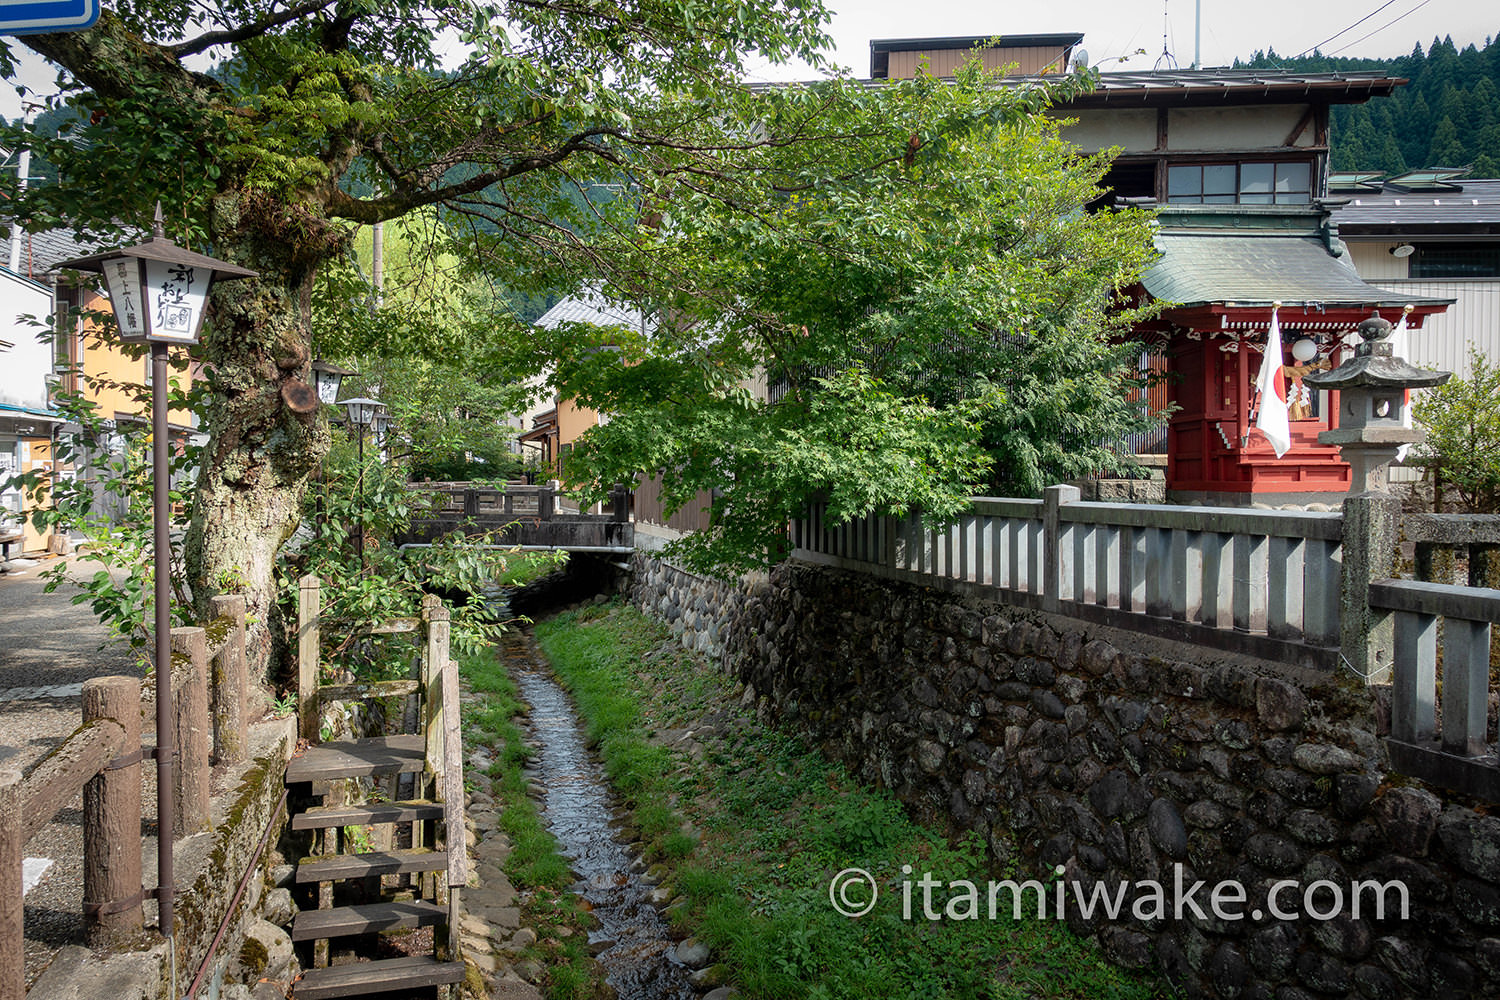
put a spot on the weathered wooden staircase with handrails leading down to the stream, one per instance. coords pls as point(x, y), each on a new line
point(353, 894)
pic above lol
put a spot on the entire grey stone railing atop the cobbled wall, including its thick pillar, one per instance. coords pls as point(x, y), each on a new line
point(1294, 587)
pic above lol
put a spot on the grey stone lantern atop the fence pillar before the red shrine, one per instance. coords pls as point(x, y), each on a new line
point(1373, 406)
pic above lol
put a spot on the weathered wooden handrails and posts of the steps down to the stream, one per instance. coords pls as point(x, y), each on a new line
point(434, 681)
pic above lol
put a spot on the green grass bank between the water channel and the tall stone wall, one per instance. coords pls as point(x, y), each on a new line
point(758, 824)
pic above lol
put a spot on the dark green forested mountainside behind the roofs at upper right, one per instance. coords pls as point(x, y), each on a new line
point(1447, 116)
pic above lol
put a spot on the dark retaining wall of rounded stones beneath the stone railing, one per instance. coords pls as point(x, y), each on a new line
point(1070, 746)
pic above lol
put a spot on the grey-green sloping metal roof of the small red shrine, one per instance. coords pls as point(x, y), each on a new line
point(1199, 269)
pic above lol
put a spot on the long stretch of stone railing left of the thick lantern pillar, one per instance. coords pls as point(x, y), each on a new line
point(1247, 581)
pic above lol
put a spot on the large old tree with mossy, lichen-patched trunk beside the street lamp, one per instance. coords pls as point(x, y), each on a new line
point(326, 113)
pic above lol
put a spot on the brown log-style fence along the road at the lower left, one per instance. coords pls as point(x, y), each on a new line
point(103, 759)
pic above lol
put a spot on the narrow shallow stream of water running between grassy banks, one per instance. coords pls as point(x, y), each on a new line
point(640, 963)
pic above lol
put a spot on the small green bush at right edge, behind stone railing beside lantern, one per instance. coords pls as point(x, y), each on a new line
point(1463, 434)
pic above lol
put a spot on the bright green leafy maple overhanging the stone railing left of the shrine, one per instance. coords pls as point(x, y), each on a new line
point(935, 310)
